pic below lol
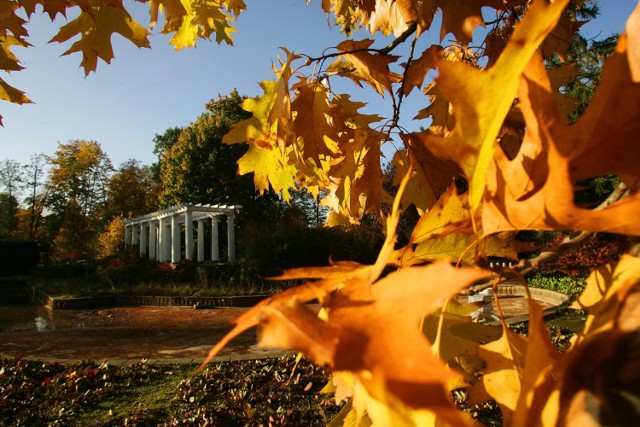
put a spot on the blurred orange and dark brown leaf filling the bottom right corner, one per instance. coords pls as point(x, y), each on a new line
point(596, 380)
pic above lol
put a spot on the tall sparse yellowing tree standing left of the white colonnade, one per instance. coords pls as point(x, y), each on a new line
point(78, 175)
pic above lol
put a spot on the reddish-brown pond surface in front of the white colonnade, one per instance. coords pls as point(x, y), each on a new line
point(121, 333)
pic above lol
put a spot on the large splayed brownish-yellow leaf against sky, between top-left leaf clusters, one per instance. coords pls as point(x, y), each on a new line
point(95, 30)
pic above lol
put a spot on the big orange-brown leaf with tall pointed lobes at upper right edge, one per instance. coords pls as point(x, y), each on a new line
point(535, 191)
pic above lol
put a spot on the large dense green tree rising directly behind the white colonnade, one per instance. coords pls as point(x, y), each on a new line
point(194, 166)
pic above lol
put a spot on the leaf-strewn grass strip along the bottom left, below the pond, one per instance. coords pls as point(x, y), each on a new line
point(244, 393)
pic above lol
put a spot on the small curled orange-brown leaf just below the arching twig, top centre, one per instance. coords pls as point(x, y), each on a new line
point(359, 65)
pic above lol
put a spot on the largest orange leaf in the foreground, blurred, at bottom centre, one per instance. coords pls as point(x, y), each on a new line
point(365, 333)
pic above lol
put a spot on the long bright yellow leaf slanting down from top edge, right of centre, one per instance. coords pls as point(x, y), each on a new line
point(481, 99)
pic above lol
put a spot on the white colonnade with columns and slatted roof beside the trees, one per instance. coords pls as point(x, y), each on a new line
point(159, 234)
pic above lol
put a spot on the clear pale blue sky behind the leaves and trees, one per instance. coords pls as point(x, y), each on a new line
point(145, 91)
